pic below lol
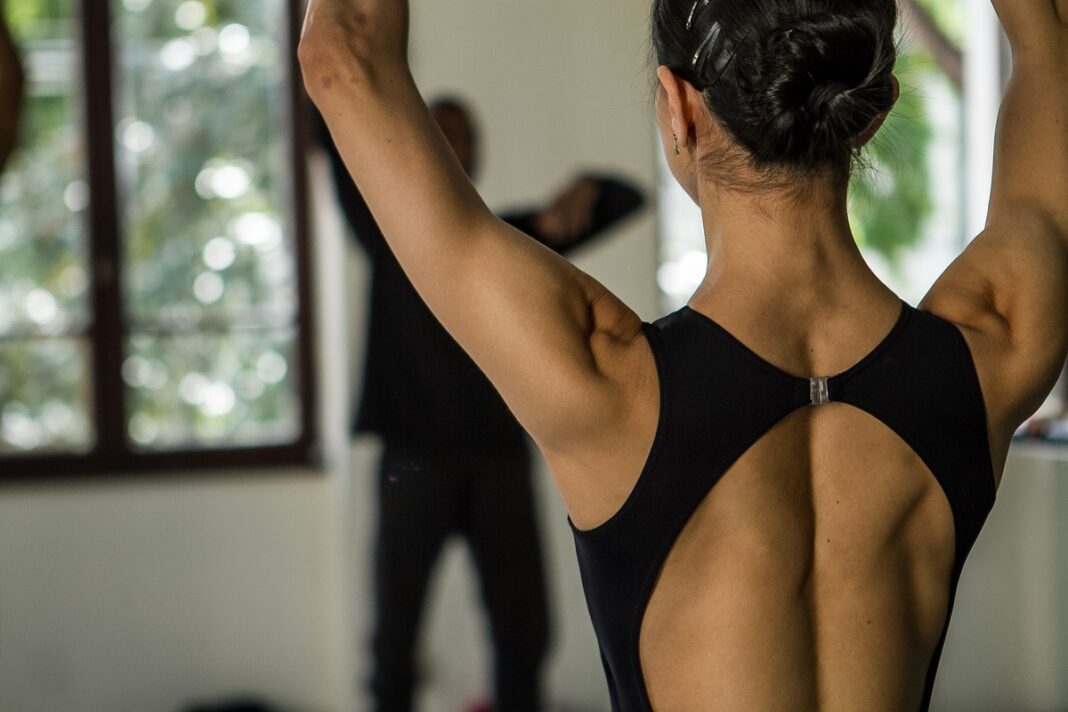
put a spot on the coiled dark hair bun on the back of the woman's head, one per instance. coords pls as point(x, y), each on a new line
point(823, 86)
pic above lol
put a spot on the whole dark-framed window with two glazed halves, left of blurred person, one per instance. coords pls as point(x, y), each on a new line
point(153, 267)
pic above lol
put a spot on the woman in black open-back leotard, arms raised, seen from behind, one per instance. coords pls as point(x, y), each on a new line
point(774, 489)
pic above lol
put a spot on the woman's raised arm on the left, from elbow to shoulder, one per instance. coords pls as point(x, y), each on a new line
point(545, 334)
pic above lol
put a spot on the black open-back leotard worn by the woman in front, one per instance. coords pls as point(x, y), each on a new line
point(719, 399)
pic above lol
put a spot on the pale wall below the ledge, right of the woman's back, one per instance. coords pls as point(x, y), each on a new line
point(1008, 647)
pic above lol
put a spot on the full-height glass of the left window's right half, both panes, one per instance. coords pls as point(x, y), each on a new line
point(202, 146)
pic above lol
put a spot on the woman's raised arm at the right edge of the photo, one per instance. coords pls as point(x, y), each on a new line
point(1011, 288)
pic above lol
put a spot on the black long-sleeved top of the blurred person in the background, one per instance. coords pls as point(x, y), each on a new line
point(421, 390)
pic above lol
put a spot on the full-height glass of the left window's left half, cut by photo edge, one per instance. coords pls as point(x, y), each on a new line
point(44, 274)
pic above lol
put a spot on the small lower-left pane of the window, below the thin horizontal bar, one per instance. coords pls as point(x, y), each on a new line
point(44, 397)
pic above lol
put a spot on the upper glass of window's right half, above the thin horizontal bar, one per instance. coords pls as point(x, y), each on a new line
point(202, 155)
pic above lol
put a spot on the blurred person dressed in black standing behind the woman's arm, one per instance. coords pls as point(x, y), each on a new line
point(456, 460)
